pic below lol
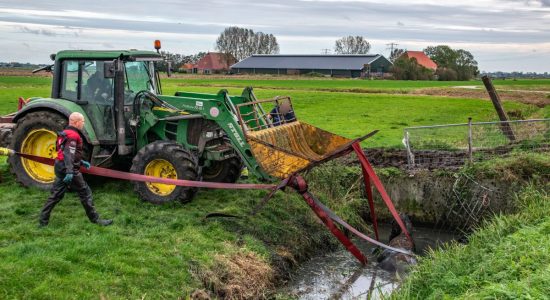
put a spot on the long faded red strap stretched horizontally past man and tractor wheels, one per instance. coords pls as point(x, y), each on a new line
point(144, 178)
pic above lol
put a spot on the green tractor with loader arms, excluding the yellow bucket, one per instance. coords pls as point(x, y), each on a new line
point(130, 123)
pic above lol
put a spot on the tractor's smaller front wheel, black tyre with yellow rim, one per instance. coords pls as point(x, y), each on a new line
point(167, 160)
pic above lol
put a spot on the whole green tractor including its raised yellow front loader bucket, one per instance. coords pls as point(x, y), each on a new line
point(130, 124)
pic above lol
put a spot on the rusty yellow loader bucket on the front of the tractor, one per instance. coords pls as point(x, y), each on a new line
point(281, 144)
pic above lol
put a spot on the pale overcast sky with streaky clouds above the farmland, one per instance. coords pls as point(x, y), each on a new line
point(506, 35)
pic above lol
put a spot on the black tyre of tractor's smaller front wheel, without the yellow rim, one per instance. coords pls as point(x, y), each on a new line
point(183, 161)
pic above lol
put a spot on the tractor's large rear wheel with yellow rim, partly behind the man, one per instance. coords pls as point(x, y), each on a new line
point(36, 134)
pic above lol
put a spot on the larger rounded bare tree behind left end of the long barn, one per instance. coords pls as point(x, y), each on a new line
point(243, 42)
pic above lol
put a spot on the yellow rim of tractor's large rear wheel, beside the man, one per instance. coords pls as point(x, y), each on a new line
point(39, 142)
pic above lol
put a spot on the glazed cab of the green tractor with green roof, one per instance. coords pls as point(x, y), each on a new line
point(101, 82)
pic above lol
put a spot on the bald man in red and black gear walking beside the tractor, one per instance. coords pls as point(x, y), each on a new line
point(67, 172)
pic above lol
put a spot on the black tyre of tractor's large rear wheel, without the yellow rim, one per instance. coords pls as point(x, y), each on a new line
point(26, 125)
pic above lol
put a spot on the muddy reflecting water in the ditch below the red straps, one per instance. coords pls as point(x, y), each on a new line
point(338, 275)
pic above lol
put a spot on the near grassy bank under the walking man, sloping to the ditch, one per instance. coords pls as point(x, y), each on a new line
point(151, 252)
